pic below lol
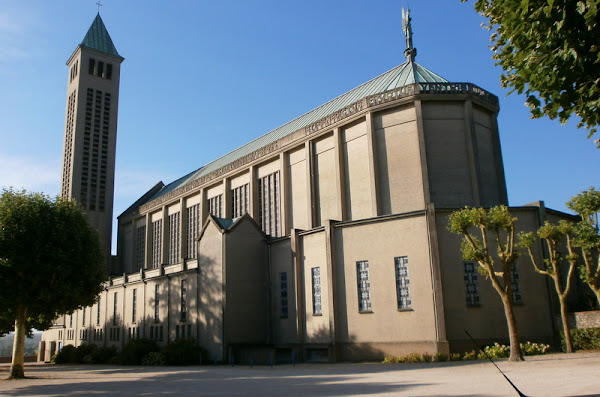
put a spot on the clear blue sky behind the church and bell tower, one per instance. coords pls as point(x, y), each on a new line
point(202, 78)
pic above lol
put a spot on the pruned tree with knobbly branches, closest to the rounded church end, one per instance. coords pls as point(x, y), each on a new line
point(496, 228)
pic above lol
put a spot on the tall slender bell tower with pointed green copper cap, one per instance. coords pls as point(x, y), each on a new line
point(90, 138)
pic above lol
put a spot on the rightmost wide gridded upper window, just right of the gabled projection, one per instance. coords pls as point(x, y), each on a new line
point(268, 204)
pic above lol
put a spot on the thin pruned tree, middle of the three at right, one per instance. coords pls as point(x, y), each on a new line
point(554, 235)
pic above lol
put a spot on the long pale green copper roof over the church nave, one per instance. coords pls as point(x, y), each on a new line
point(405, 74)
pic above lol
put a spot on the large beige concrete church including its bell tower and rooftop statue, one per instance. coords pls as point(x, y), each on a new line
point(323, 239)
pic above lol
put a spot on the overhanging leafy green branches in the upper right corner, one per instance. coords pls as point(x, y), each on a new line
point(550, 50)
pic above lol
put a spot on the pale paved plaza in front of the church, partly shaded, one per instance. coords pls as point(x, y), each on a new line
point(551, 375)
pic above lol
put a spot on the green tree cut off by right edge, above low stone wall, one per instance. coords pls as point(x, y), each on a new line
point(587, 236)
